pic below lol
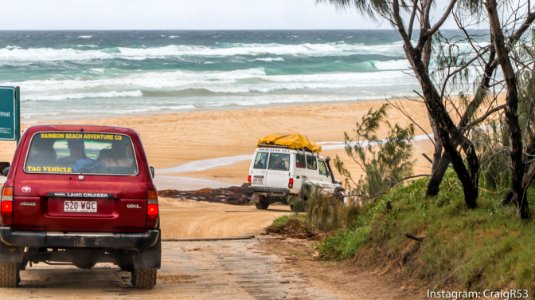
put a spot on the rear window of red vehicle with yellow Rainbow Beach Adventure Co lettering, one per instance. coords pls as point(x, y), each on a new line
point(81, 152)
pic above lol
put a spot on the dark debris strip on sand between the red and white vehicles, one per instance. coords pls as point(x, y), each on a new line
point(238, 195)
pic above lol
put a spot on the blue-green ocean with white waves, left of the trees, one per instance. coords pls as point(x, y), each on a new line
point(80, 74)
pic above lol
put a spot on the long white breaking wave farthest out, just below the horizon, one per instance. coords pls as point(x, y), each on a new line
point(10, 54)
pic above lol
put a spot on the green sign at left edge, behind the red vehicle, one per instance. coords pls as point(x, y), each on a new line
point(9, 113)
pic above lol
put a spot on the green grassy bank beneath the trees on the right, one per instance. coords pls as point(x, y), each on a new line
point(487, 248)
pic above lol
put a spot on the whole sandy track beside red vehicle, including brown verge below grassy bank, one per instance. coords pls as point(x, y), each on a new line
point(264, 267)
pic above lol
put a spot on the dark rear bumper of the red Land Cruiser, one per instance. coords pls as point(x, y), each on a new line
point(42, 239)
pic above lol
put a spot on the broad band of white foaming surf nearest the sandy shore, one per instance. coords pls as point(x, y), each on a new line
point(189, 84)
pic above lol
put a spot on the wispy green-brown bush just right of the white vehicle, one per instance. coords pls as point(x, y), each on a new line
point(384, 162)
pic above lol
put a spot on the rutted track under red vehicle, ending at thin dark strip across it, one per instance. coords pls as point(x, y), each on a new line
point(198, 270)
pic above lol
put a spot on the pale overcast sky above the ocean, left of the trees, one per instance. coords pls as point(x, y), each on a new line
point(178, 14)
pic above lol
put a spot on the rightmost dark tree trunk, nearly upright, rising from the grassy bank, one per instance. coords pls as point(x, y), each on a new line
point(511, 113)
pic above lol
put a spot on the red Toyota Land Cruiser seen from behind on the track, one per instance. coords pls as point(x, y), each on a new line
point(80, 194)
